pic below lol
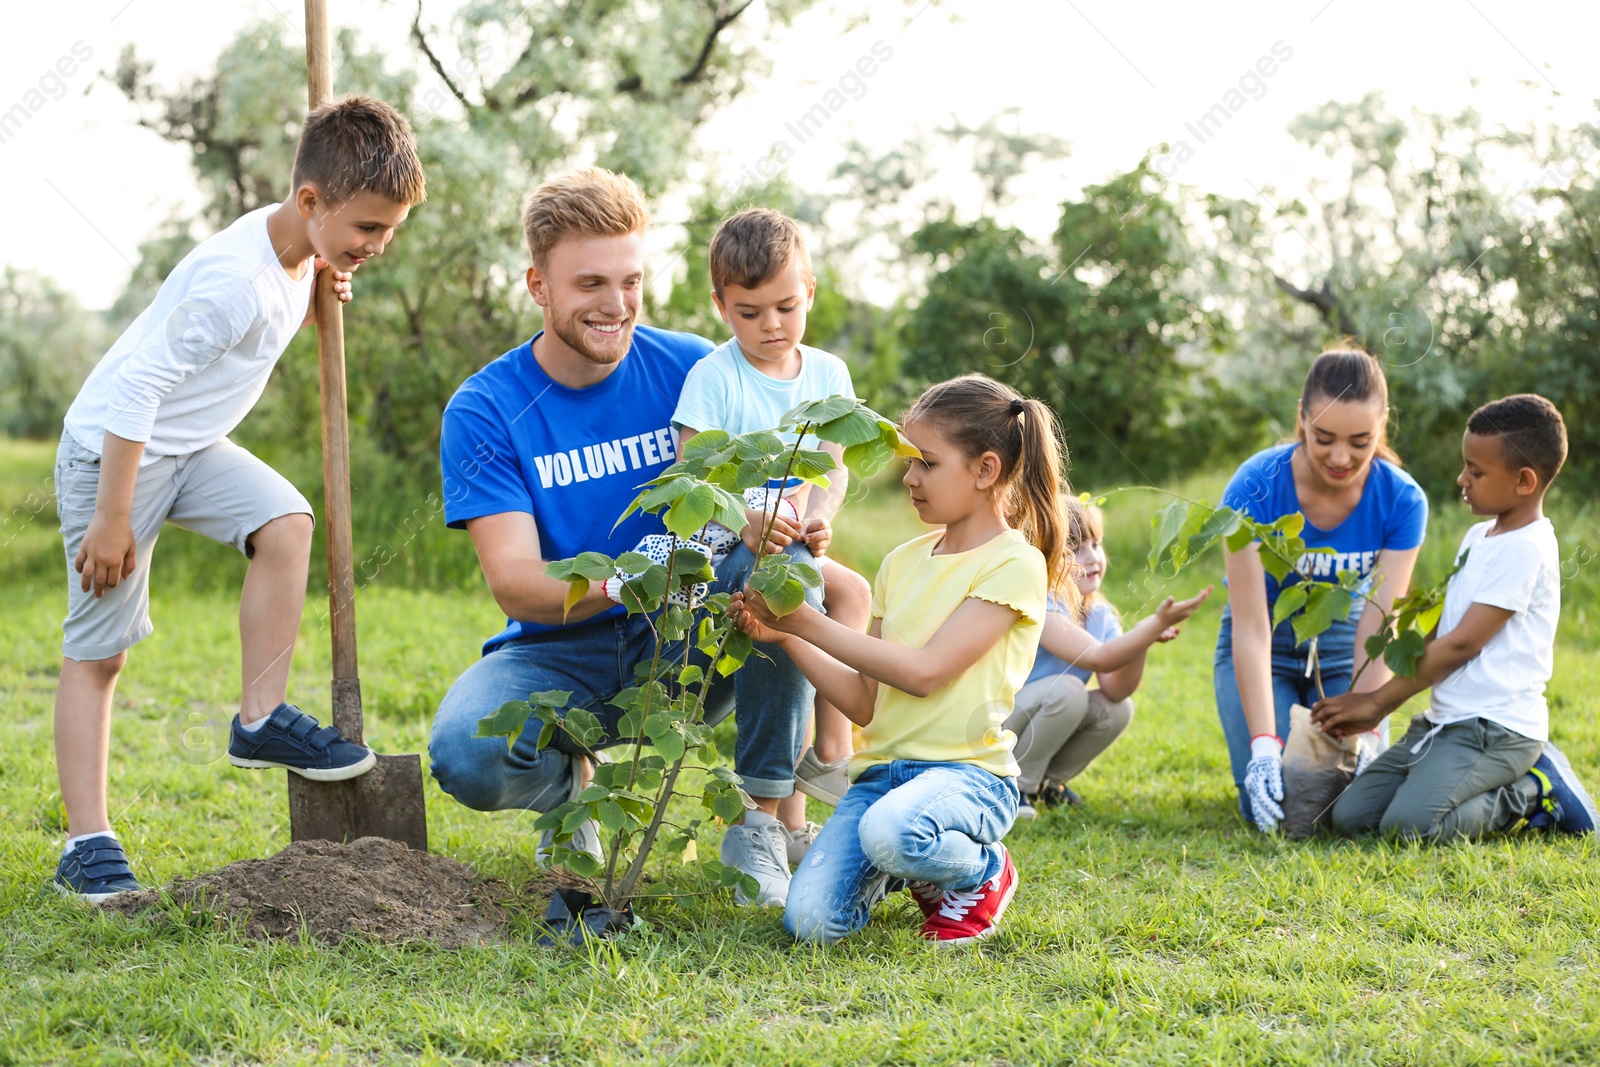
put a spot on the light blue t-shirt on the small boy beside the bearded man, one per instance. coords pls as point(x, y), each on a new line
point(724, 393)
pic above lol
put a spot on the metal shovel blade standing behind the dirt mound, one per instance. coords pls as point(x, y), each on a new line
point(386, 802)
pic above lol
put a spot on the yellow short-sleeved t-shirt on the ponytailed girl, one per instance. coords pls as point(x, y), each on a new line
point(914, 594)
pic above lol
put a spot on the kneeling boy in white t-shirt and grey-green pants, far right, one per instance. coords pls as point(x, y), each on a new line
point(1479, 759)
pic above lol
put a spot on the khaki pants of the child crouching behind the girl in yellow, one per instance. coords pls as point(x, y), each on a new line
point(1062, 725)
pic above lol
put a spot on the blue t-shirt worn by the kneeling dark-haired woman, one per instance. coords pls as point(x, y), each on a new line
point(1393, 514)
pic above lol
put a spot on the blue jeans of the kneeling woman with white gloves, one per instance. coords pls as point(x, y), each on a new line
point(1290, 685)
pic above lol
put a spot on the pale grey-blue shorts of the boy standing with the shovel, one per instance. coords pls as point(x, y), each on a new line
point(220, 492)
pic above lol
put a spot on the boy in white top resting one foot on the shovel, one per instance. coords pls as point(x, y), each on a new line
point(146, 444)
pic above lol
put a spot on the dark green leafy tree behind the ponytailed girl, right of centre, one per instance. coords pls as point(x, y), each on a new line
point(1097, 326)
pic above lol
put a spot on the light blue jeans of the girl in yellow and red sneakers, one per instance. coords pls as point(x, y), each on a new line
point(937, 823)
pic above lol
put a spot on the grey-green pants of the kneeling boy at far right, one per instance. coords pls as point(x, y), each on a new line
point(1466, 781)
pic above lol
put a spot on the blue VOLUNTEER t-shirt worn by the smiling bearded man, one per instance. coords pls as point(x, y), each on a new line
point(514, 441)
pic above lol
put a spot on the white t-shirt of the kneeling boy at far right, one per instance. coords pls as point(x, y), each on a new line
point(1521, 572)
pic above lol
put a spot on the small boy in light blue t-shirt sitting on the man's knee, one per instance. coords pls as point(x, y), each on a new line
point(764, 287)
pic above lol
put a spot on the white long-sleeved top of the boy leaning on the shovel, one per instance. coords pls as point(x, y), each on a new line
point(194, 364)
